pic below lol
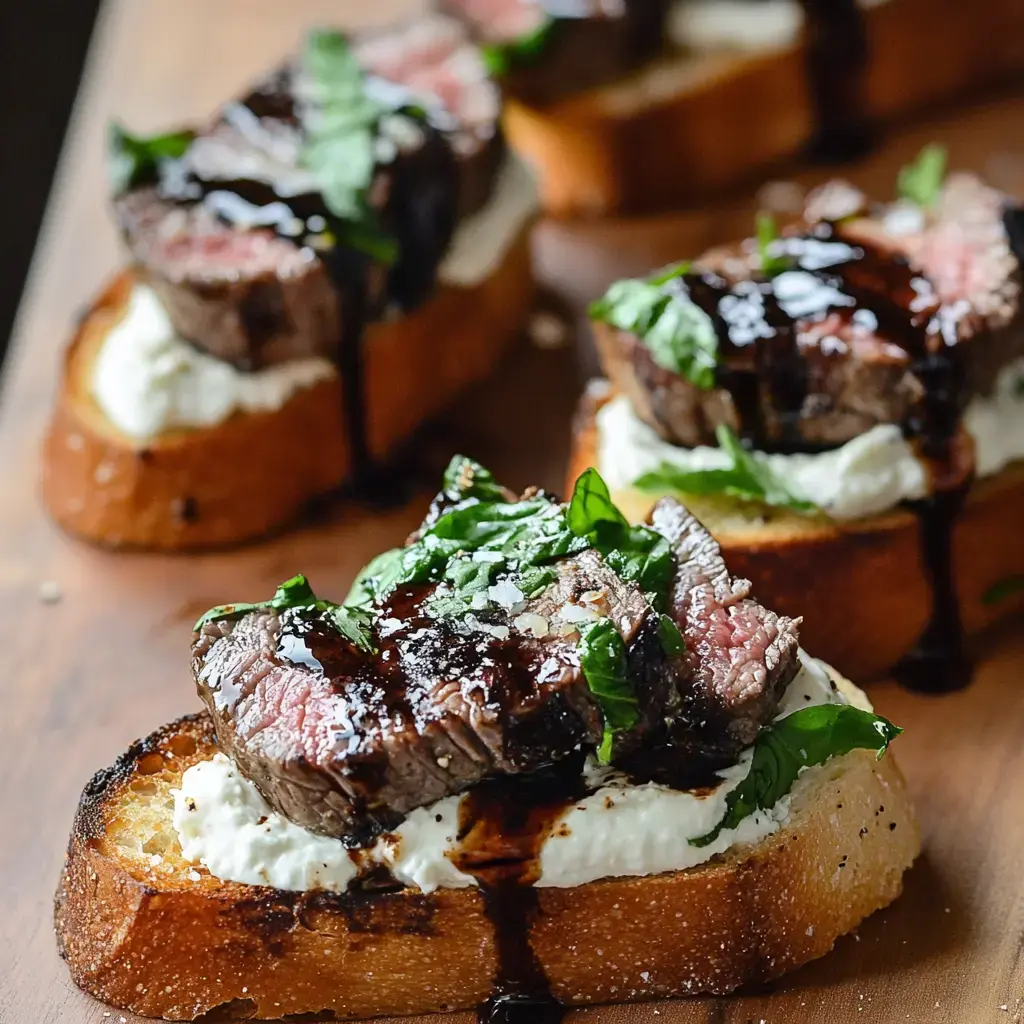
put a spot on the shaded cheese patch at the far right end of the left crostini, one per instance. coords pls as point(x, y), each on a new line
point(482, 240)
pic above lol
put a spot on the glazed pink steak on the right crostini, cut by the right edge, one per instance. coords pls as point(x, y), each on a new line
point(842, 340)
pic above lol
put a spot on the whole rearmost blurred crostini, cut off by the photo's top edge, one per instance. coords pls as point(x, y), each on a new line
point(647, 104)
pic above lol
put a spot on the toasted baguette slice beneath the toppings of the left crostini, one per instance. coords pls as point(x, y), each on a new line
point(255, 474)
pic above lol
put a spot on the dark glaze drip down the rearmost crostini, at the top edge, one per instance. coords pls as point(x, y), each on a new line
point(838, 53)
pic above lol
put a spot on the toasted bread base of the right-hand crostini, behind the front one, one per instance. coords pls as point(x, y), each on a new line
point(860, 586)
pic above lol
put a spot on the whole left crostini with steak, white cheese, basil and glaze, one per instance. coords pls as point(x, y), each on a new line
point(314, 275)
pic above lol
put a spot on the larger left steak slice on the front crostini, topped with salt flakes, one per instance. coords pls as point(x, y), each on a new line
point(347, 744)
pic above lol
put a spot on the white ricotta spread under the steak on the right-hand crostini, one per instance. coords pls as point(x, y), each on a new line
point(870, 475)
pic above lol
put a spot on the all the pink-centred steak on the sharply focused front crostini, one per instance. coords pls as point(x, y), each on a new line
point(347, 744)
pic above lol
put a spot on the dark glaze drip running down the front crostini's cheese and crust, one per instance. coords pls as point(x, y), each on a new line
point(502, 827)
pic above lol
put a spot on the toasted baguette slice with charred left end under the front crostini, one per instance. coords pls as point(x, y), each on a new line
point(145, 931)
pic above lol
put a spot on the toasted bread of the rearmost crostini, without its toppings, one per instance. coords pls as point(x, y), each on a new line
point(687, 126)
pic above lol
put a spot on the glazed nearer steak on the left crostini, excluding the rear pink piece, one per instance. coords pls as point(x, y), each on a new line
point(233, 235)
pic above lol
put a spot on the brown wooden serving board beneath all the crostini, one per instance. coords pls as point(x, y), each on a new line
point(106, 663)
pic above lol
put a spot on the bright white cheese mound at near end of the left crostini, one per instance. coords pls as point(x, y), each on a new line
point(148, 380)
